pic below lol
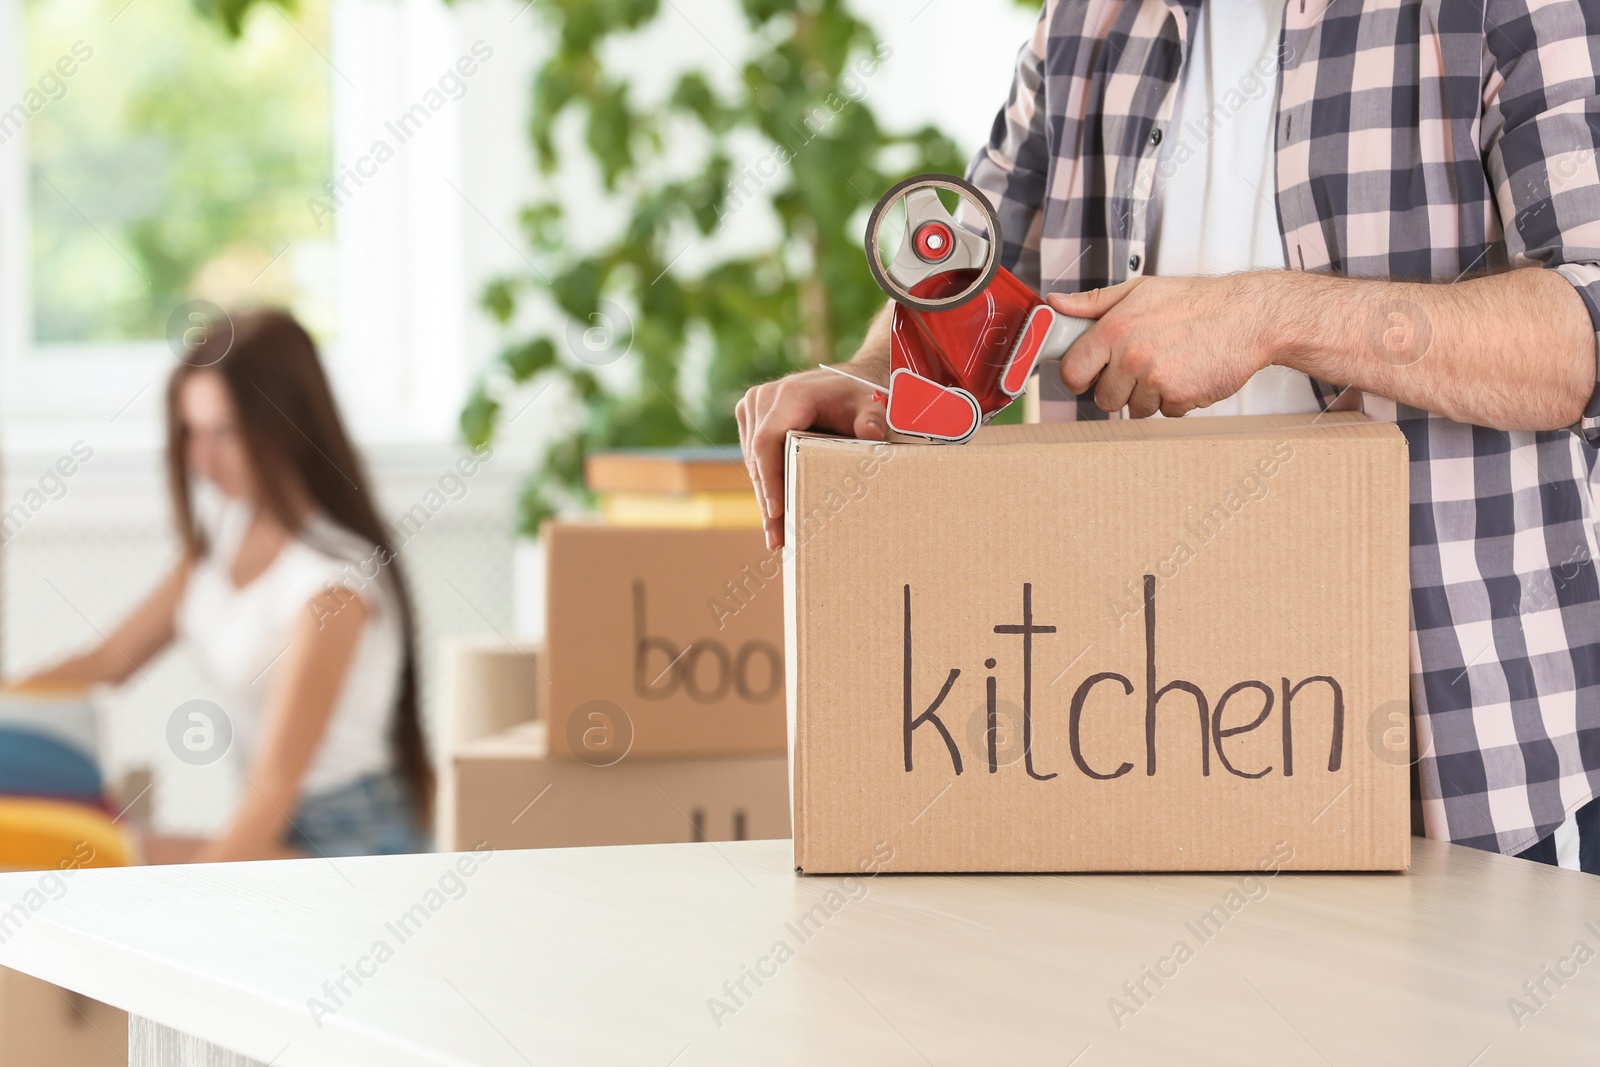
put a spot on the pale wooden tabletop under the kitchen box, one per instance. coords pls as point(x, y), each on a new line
point(610, 956)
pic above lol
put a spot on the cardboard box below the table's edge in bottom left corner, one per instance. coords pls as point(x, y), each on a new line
point(46, 1026)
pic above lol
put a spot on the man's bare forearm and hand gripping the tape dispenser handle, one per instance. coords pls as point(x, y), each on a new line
point(1513, 351)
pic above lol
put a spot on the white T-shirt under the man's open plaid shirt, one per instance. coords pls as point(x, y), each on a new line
point(1217, 182)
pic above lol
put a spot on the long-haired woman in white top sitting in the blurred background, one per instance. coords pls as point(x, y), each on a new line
point(294, 604)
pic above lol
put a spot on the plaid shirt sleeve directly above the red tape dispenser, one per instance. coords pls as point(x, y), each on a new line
point(1012, 169)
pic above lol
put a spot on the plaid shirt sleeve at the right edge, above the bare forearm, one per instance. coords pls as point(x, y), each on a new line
point(1542, 135)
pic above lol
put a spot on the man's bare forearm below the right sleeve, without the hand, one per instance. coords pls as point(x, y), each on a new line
point(1511, 351)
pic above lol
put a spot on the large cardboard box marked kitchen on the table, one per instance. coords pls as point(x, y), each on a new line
point(1148, 645)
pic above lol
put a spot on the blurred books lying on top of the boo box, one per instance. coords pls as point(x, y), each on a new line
point(684, 489)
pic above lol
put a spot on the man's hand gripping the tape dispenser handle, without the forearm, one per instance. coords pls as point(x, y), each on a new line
point(1167, 345)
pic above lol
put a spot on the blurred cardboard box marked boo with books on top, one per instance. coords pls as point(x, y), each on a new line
point(663, 644)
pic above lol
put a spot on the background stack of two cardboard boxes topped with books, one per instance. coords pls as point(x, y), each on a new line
point(663, 669)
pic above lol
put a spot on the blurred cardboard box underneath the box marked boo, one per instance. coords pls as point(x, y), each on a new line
point(511, 796)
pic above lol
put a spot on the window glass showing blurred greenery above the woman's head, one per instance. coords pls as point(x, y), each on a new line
point(167, 164)
